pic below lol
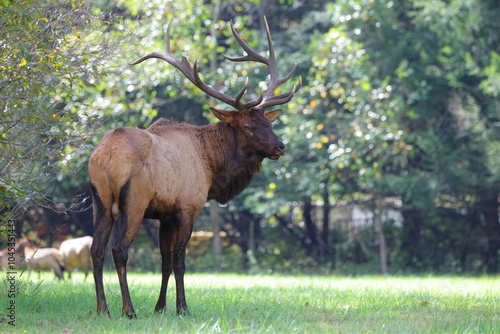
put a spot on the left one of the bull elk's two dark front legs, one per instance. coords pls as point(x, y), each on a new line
point(166, 236)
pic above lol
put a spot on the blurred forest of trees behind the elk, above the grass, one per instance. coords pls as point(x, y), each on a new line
point(393, 142)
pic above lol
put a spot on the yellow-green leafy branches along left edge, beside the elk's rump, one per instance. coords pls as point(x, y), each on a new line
point(51, 50)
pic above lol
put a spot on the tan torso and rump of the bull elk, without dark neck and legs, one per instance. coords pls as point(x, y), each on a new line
point(155, 163)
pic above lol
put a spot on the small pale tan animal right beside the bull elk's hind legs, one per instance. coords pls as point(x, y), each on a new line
point(76, 253)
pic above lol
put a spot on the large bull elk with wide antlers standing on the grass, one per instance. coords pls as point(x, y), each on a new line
point(168, 172)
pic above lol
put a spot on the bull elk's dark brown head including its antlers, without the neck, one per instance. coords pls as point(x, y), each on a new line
point(250, 120)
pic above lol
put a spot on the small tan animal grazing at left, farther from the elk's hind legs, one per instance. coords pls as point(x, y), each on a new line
point(41, 258)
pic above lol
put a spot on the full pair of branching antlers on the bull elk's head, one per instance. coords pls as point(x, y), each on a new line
point(191, 73)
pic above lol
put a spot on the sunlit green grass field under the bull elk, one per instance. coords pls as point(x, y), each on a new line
point(226, 303)
